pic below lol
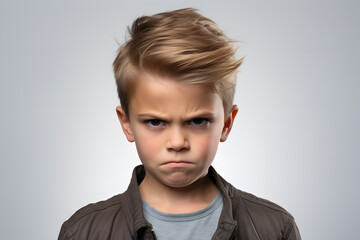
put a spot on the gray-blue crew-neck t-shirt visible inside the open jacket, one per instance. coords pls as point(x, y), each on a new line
point(199, 225)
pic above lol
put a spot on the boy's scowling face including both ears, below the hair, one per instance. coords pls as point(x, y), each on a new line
point(176, 129)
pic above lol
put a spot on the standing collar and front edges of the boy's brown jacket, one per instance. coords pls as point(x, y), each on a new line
point(133, 205)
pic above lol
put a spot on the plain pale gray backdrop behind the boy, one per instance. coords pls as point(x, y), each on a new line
point(295, 140)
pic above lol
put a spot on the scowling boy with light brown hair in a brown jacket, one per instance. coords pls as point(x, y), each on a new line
point(176, 81)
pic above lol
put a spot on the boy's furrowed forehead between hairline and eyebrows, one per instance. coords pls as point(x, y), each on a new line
point(168, 96)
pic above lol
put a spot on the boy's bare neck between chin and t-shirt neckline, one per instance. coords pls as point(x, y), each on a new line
point(163, 198)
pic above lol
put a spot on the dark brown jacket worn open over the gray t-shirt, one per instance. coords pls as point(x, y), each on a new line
point(244, 216)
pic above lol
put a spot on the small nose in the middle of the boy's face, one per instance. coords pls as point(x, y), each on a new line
point(177, 140)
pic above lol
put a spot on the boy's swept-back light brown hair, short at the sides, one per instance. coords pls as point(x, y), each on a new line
point(182, 45)
